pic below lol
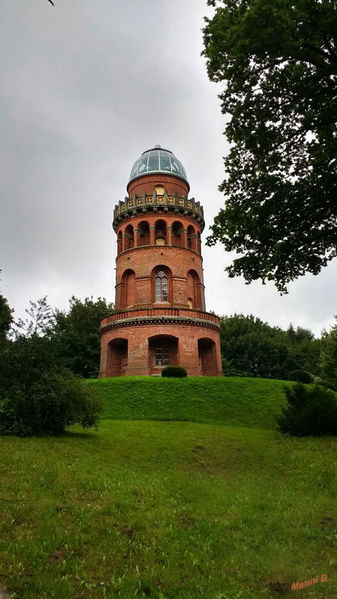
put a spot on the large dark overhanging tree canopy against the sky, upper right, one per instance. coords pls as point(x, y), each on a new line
point(278, 63)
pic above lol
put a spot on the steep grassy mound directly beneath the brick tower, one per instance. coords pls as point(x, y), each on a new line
point(236, 401)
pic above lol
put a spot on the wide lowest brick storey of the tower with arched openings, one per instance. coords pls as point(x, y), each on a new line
point(143, 342)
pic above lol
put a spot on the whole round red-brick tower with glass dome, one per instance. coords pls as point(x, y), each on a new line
point(160, 316)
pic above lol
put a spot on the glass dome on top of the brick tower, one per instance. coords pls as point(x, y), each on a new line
point(157, 160)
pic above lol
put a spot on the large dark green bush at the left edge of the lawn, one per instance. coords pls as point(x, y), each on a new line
point(38, 395)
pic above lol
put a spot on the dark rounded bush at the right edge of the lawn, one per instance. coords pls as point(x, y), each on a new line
point(310, 411)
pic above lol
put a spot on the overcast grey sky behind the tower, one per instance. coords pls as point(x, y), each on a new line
point(85, 88)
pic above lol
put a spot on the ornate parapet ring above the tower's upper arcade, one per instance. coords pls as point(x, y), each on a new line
point(131, 206)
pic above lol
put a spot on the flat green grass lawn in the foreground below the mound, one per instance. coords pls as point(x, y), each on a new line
point(168, 510)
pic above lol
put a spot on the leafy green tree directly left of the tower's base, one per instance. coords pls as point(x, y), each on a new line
point(77, 332)
